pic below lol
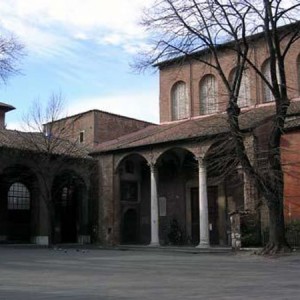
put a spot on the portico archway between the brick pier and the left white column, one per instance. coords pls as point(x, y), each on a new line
point(134, 194)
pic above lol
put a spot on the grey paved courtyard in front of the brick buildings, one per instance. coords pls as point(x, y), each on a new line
point(102, 274)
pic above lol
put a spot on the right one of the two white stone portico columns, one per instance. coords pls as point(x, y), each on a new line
point(203, 206)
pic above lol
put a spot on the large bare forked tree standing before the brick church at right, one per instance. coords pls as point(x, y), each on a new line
point(197, 30)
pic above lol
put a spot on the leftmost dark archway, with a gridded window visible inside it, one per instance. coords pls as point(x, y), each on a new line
point(18, 189)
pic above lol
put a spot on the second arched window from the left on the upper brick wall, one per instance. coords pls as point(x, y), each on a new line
point(208, 95)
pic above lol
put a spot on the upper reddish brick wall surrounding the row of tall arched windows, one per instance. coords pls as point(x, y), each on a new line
point(192, 72)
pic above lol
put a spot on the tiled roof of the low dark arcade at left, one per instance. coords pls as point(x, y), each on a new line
point(38, 142)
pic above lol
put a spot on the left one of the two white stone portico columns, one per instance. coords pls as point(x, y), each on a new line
point(154, 208)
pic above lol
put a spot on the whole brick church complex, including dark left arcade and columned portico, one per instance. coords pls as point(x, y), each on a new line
point(149, 181)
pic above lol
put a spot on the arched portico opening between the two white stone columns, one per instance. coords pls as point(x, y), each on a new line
point(177, 174)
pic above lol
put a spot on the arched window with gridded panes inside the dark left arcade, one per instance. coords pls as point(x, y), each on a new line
point(18, 197)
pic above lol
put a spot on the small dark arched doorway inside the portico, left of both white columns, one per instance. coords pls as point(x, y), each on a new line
point(130, 227)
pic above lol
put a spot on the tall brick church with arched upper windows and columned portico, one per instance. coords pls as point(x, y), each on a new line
point(153, 181)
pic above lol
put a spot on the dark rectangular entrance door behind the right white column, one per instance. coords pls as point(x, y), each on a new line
point(212, 194)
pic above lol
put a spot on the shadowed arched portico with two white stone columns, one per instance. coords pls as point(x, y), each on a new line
point(177, 196)
